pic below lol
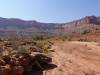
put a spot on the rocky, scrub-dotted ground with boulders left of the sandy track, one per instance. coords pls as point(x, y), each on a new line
point(23, 60)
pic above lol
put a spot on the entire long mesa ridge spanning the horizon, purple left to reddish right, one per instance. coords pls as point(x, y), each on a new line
point(23, 27)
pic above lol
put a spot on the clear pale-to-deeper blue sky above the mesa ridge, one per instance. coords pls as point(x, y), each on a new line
point(56, 11)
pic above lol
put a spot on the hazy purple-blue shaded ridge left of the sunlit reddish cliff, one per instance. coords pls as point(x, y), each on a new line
point(18, 26)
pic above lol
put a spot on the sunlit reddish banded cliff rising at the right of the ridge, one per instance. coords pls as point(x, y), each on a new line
point(87, 23)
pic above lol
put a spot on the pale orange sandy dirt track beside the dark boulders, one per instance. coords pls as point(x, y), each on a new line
point(76, 58)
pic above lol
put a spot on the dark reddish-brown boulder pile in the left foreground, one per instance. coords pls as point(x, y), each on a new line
point(18, 64)
